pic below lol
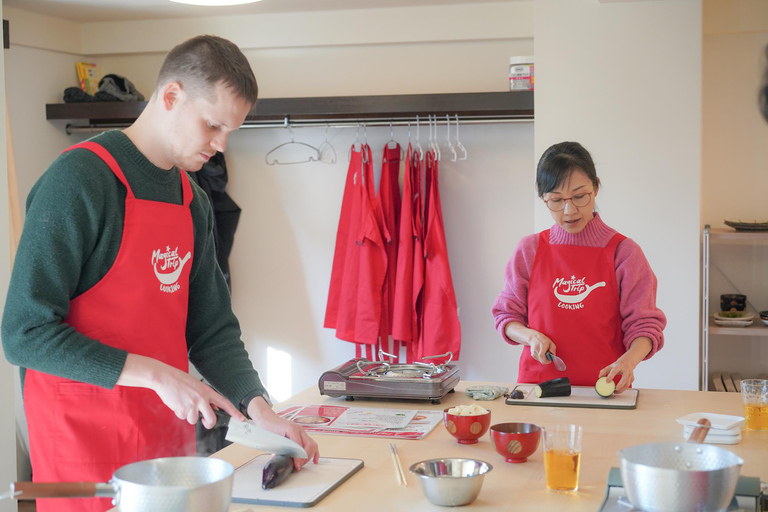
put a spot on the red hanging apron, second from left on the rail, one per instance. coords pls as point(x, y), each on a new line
point(359, 312)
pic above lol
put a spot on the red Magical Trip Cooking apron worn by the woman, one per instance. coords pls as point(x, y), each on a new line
point(573, 299)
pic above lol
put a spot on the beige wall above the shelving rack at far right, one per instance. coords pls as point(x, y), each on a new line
point(734, 135)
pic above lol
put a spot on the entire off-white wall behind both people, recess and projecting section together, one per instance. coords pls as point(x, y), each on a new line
point(283, 250)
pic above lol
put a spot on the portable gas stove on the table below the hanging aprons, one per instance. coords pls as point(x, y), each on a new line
point(361, 378)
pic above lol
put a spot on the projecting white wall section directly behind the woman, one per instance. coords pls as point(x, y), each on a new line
point(624, 79)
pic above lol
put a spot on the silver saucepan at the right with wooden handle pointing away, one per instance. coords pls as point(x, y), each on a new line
point(680, 477)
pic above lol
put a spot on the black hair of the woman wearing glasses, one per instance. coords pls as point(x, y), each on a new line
point(559, 162)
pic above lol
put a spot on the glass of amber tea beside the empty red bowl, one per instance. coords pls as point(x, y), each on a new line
point(562, 457)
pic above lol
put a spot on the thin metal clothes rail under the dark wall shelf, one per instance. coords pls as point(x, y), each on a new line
point(314, 123)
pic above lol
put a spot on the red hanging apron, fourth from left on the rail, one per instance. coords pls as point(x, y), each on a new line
point(410, 259)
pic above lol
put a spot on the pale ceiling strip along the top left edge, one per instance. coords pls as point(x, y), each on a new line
point(122, 10)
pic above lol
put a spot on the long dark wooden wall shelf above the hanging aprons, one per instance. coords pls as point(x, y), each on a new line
point(483, 106)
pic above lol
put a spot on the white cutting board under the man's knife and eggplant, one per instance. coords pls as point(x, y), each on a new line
point(301, 489)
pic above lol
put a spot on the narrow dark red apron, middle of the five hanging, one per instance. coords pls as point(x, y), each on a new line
point(389, 202)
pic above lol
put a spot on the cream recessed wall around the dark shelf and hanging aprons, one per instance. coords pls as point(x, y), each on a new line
point(284, 245)
